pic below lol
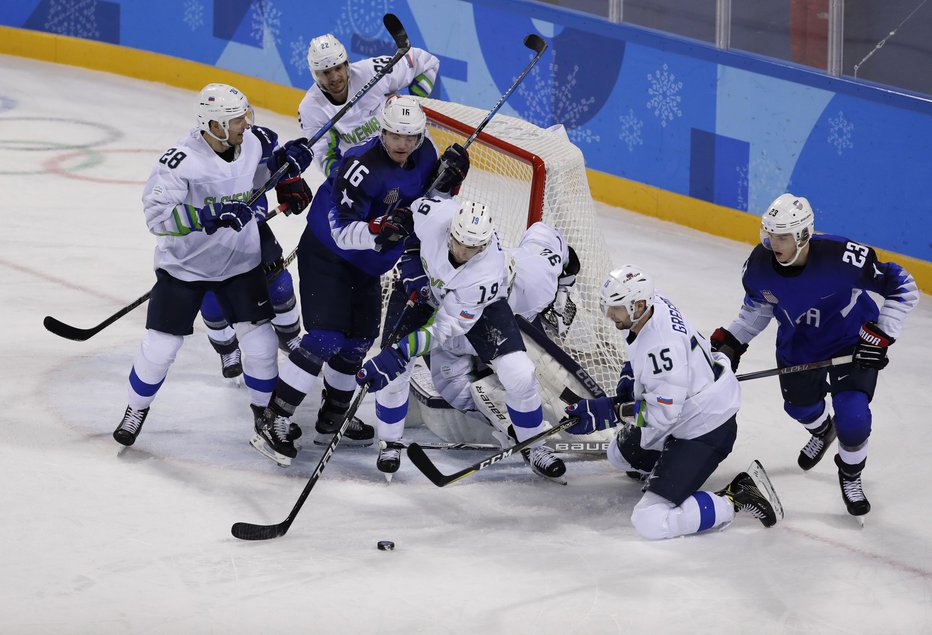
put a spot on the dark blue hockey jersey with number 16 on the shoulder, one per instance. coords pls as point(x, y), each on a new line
point(365, 186)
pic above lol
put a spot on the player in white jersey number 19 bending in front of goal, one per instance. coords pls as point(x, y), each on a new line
point(468, 275)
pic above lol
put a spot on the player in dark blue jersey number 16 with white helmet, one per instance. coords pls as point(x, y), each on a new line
point(356, 227)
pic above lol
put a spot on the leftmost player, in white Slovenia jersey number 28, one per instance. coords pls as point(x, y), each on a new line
point(194, 202)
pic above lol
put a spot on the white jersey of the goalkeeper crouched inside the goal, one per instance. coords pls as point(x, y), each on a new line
point(538, 263)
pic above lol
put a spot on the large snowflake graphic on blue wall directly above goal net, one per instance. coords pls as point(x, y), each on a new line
point(548, 88)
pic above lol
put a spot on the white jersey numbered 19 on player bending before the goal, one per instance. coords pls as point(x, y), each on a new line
point(461, 293)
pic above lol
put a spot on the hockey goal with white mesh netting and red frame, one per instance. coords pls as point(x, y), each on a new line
point(502, 175)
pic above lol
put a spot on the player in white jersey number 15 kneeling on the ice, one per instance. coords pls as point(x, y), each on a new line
point(685, 399)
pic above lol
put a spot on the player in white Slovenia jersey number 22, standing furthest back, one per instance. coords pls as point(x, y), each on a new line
point(335, 79)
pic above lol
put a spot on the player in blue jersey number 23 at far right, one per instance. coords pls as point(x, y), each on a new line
point(816, 287)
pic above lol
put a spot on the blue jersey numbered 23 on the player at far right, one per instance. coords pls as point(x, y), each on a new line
point(820, 306)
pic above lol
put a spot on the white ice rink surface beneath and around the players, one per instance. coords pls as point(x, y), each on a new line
point(99, 539)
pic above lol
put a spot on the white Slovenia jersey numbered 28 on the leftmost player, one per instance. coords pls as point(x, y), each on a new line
point(192, 174)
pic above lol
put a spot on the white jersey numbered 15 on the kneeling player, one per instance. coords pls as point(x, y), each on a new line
point(686, 390)
